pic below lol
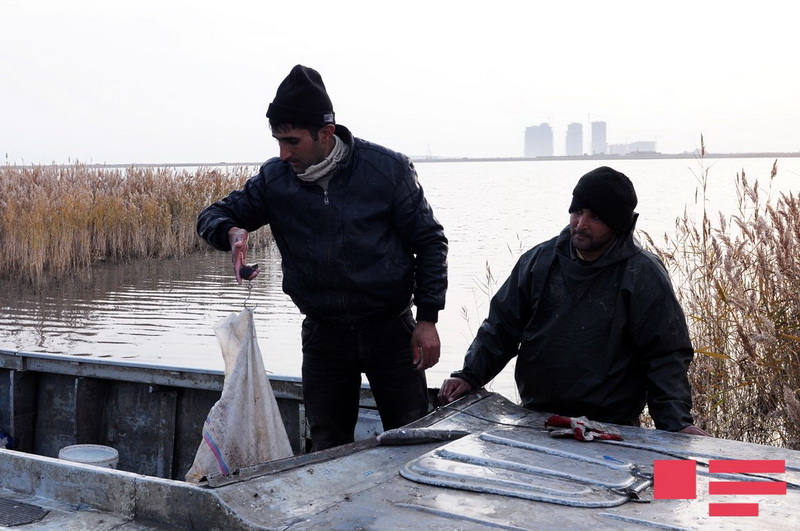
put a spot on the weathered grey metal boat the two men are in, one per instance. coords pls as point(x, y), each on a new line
point(479, 463)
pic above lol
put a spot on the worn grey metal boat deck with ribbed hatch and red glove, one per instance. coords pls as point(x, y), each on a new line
point(508, 473)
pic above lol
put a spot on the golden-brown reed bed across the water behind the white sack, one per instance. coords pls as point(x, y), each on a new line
point(54, 220)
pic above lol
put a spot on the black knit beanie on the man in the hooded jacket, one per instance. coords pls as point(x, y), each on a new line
point(609, 194)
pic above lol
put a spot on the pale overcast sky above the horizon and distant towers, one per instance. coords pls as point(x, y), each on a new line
point(143, 81)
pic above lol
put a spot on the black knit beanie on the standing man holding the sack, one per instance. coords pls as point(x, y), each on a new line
point(302, 99)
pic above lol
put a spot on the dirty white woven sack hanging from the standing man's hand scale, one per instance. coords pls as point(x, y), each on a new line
point(244, 427)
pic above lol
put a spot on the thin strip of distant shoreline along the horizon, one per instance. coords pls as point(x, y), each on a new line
point(629, 156)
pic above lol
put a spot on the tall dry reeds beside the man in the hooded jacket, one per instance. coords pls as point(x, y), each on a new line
point(738, 279)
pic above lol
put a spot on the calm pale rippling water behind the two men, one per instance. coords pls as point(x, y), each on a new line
point(163, 312)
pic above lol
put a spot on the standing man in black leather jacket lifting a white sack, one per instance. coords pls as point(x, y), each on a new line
point(359, 245)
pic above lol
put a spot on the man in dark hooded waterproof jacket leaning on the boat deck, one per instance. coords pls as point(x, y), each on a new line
point(592, 319)
